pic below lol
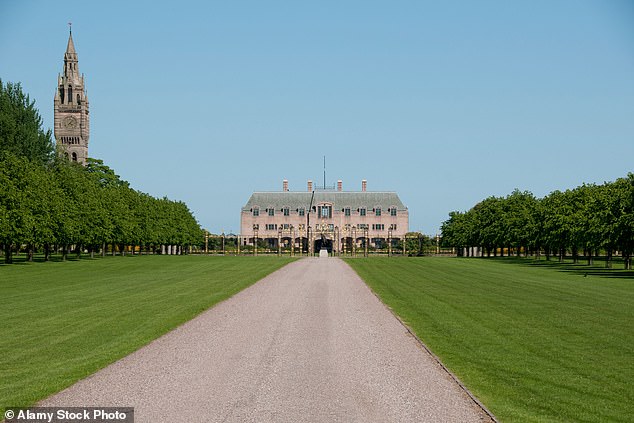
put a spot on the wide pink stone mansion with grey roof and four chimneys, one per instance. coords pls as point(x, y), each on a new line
point(336, 219)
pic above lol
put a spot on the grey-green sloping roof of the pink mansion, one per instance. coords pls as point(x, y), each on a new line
point(339, 199)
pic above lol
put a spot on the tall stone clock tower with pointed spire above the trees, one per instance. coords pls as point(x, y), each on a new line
point(72, 122)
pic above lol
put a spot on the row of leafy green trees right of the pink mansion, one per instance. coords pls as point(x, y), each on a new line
point(588, 220)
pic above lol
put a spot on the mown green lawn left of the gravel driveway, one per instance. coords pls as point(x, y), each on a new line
point(60, 322)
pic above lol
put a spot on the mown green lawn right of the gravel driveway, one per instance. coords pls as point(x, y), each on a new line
point(534, 341)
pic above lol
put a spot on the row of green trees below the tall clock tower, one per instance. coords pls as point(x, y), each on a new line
point(47, 202)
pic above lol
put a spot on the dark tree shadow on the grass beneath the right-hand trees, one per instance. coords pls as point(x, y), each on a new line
point(581, 268)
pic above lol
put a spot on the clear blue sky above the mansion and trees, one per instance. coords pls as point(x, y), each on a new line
point(445, 103)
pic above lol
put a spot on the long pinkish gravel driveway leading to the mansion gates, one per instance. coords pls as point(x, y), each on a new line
point(308, 343)
